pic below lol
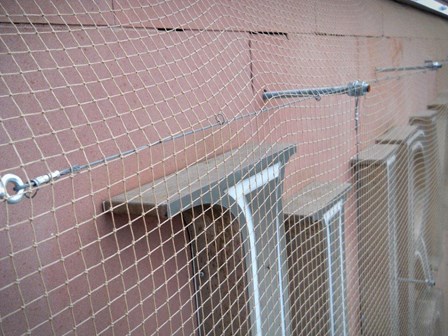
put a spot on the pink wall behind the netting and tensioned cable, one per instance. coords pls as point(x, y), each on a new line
point(108, 80)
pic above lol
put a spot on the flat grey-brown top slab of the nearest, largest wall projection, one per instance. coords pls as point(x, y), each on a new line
point(187, 187)
